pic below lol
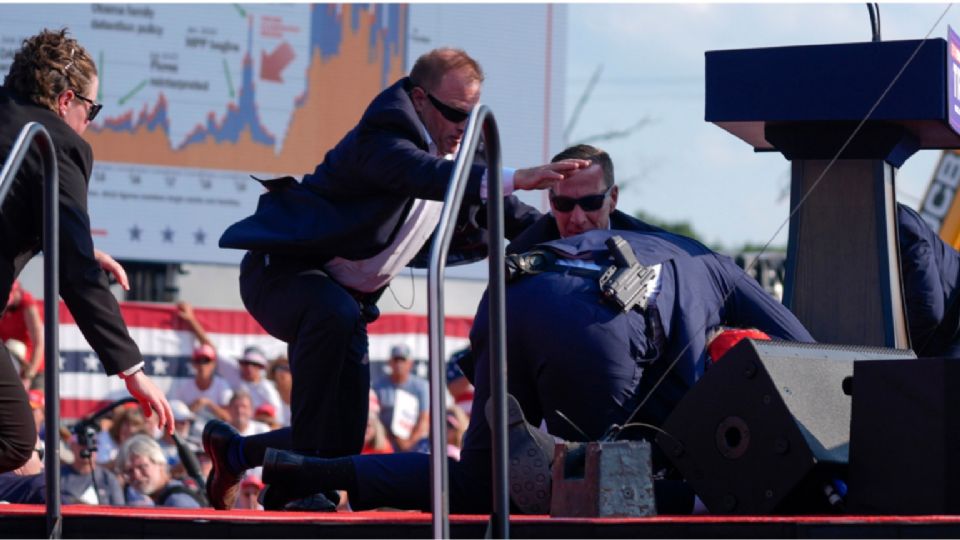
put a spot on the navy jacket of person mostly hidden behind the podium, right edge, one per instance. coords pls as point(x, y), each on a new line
point(930, 270)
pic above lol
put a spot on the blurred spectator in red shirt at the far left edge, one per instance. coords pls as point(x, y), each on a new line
point(21, 321)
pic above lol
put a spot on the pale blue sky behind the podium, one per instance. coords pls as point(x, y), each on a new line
point(678, 167)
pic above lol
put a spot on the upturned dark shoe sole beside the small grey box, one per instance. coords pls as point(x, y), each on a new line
point(531, 453)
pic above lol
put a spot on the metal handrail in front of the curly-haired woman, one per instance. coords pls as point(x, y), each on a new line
point(51, 309)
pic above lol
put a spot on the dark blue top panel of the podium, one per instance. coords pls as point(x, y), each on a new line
point(749, 90)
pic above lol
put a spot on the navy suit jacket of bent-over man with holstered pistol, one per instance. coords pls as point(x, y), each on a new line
point(700, 289)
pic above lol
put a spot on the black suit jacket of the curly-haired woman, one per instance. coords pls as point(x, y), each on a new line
point(83, 284)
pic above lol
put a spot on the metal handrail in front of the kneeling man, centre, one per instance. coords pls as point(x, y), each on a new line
point(480, 118)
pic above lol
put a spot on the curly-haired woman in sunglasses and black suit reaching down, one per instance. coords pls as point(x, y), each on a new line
point(53, 81)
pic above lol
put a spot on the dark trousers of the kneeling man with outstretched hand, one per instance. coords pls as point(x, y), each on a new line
point(326, 337)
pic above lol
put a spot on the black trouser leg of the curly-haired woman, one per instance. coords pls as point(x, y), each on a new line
point(18, 433)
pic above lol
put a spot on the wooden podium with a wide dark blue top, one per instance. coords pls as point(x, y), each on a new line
point(842, 272)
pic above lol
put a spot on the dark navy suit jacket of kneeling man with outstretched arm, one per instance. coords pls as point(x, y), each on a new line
point(354, 202)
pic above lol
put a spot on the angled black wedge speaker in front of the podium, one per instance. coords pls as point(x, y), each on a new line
point(766, 429)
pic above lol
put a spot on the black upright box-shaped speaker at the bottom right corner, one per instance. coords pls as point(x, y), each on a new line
point(905, 437)
